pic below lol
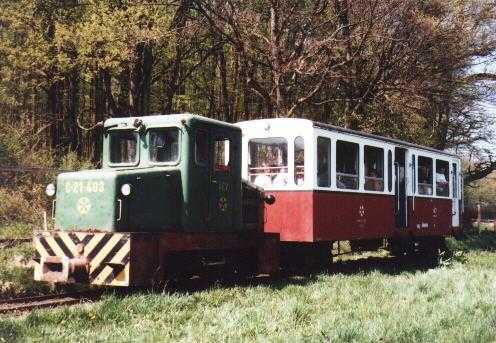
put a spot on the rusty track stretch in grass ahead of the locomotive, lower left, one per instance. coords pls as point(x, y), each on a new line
point(44, 301)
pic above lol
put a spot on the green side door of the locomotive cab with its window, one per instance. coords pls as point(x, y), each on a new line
point(221, 183)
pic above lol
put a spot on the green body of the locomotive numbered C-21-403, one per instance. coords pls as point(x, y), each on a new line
point(181, 196)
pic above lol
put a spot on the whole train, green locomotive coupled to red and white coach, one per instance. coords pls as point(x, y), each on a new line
point(182, 195)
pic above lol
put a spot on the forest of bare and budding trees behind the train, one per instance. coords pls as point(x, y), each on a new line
point(408, 69)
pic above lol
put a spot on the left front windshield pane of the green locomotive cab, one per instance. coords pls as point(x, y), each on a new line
point(123, 147)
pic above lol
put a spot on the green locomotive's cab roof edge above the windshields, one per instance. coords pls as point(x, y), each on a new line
point(161, 119)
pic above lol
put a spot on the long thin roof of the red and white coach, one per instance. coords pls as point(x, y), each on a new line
point(328, 127)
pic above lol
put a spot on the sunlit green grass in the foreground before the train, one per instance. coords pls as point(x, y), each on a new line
point(363, 300)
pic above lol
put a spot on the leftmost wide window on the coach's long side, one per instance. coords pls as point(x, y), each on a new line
point(347, 170)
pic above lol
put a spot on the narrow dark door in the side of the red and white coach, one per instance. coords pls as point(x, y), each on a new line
point(400, 196)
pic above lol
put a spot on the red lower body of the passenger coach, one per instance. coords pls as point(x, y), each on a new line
point(312, 216)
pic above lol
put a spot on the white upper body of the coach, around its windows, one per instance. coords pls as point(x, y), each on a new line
point(277, 138)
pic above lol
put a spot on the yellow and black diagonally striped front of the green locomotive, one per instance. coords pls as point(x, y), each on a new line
point(108, 254)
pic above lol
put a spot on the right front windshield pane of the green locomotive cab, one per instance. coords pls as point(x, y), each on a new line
point(164, 145)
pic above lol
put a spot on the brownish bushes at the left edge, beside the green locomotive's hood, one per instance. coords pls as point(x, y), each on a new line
point(22, 196)
